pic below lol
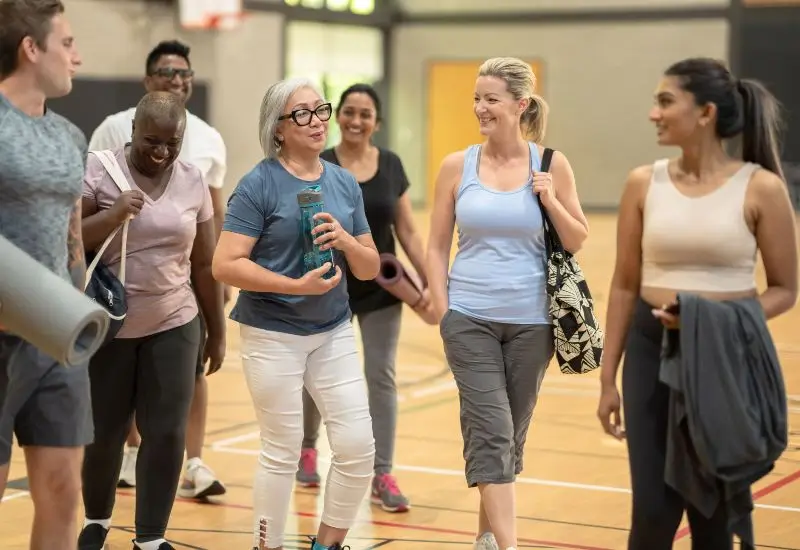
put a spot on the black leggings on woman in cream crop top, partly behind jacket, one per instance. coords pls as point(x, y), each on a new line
point(657, 508)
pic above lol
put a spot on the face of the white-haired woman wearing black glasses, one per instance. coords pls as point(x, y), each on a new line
point(302, 128)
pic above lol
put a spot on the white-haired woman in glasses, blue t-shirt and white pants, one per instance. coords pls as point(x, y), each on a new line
point(295, 326)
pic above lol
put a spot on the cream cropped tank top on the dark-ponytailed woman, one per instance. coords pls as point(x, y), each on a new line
point(700, 244)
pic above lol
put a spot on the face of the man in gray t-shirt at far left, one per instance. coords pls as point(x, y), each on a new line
point(56, 63)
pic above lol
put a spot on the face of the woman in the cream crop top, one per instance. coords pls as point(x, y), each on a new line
point(676, 114)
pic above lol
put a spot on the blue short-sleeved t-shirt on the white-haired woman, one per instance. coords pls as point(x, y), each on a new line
point(264, 206)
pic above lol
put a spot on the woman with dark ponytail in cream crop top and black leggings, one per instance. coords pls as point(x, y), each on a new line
point(694, 224)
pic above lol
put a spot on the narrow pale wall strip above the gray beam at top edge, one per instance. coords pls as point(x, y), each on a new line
point(419, 7)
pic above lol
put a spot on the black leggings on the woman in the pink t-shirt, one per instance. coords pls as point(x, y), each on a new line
point(153, 376)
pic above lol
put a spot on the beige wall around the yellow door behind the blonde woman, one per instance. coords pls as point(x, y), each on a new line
point(599, 80)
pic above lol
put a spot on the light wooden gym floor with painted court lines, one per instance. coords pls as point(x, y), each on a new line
point(573, 493)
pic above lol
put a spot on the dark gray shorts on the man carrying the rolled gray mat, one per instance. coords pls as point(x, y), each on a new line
point(44, 403)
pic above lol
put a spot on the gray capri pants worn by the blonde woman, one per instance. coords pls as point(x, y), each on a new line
point(498, 368)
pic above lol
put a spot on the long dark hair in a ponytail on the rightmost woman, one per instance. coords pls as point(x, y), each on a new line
point(745, 108)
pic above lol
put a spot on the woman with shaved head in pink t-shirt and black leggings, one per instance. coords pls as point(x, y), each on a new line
point(149, 367)
